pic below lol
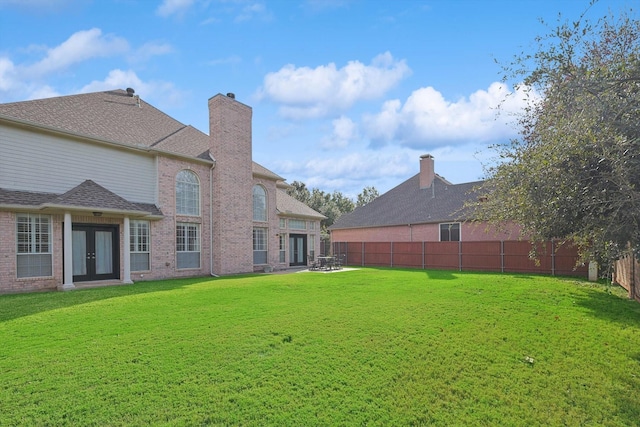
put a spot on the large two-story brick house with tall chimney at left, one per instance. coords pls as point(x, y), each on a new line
point(103, 187)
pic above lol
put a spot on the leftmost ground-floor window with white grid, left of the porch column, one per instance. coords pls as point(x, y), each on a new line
point(34, 245)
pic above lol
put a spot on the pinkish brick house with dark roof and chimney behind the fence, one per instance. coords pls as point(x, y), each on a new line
point(426, 207)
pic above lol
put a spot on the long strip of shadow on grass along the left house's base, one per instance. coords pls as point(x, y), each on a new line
point(13, 306)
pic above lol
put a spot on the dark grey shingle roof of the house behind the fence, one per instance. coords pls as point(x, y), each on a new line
point(409, 204)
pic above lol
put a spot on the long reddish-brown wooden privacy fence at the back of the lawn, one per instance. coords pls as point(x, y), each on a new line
point(501, 256)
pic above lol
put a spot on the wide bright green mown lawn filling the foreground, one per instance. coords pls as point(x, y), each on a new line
point(367, 347)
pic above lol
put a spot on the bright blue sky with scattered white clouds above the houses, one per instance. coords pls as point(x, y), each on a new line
point(345, 93)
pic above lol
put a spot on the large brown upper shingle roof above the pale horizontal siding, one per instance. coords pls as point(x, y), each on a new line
point(111, 116)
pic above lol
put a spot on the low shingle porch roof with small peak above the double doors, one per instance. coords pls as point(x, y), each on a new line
point(86, 196)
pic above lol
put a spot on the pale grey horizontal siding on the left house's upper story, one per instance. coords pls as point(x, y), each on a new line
point(44, 163)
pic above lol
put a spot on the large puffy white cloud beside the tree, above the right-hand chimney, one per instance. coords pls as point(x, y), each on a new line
point(428, 119)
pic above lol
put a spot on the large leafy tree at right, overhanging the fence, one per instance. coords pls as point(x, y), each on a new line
point(574, 172)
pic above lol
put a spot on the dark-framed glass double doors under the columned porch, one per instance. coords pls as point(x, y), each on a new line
point(95, 252)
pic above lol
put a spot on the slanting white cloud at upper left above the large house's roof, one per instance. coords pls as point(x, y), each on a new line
point(81, 46)
